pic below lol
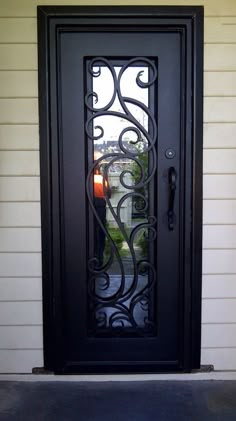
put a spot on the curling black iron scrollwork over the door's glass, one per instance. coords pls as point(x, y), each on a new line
point(122, 304)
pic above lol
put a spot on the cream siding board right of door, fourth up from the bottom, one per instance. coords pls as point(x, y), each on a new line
point(219, 286)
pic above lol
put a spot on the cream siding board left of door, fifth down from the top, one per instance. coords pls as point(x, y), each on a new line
point(18, 111)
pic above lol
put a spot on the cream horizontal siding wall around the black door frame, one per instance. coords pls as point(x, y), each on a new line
point(21, 343)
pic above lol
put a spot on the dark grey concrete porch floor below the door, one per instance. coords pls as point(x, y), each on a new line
point(118, 401)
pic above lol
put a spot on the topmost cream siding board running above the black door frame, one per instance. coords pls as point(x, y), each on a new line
point(28, 7)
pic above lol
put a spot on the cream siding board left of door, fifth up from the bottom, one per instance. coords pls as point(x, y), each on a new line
point(20, 264)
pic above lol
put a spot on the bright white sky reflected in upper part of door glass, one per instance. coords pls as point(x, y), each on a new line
point(103, 86)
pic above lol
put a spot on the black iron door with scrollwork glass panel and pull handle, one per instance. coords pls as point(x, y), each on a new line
point(121, 151)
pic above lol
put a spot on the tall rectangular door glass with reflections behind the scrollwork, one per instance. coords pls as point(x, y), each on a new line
point(121, 131)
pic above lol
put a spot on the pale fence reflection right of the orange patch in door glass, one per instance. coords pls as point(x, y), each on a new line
point(118, 191)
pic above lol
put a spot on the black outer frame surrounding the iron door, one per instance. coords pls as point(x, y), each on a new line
point(188, 21)
